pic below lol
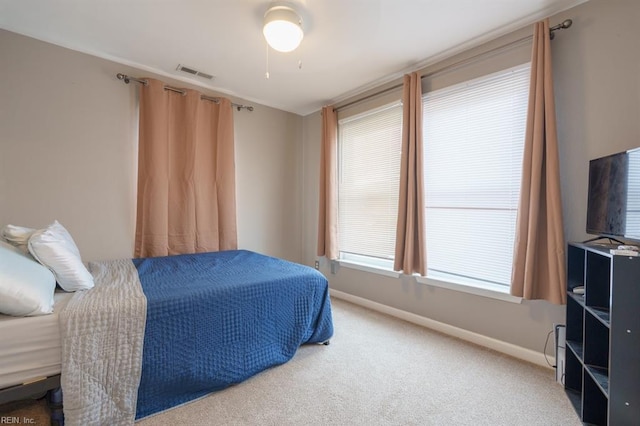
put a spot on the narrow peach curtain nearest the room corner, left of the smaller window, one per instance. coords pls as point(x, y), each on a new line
point(328, 202)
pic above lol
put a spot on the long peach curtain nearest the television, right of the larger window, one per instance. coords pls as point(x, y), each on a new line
point(539, 256)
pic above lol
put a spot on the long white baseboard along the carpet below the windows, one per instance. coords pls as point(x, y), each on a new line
point(510, 349)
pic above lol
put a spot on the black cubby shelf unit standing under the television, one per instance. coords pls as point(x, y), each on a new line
point(602, 370)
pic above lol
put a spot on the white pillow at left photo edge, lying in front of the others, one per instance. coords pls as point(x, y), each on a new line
point(26, 287)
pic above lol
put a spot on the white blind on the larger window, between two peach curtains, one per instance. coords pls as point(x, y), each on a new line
point(473, 146)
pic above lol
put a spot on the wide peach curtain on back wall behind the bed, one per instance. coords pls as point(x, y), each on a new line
point(186, 174)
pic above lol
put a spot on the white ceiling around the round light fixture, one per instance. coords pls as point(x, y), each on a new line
point(349, 45)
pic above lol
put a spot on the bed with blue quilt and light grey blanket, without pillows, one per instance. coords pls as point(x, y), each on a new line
point(158, 332)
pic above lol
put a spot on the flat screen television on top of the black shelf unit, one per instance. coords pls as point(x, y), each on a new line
point(613, 206)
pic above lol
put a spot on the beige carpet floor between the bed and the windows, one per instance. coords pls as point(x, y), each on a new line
point(379, 370)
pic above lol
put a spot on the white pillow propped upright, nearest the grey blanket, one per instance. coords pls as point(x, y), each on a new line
point(55, 249)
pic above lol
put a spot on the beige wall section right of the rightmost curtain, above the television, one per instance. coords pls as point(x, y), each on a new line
point(597, 85)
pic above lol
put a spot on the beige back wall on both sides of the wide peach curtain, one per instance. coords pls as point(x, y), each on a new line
point(68, 143)
